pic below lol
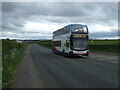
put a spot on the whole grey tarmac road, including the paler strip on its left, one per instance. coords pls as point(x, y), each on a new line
point(47, 70)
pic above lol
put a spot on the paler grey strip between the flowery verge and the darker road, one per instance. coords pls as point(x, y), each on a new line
point(27, 75)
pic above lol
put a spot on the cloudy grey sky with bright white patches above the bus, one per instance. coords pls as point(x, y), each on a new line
point(38, 20)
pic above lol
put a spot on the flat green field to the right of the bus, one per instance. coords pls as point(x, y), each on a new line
point(104, 46)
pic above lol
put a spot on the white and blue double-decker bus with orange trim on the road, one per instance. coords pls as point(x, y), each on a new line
point(71, 40)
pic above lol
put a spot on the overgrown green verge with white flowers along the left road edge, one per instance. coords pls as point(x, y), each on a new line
point(12, 53)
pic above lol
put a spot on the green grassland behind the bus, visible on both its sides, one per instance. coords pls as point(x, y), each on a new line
point(111, 46)
